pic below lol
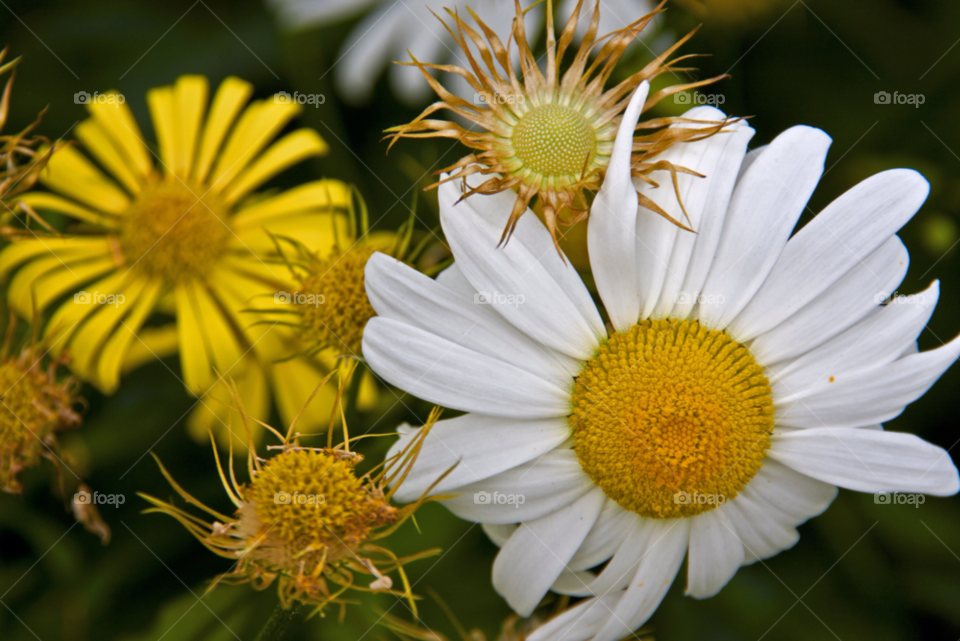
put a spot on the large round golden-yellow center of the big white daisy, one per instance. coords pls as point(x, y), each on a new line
point(671, 419)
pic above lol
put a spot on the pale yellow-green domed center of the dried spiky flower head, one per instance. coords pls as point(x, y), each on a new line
point(554, 140)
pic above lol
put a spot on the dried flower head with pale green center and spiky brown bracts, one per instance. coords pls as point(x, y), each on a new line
point(550, 135)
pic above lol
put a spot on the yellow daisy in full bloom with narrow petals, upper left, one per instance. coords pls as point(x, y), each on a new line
point(179, 232)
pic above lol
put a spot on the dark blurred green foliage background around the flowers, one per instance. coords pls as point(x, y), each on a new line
point(860, 571)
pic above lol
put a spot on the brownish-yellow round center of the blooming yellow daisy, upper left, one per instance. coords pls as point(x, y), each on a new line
point(173, 231)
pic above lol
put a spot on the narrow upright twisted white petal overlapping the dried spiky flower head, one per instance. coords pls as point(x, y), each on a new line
point(612, 227)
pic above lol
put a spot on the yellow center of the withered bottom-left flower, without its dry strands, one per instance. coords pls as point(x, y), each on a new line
point(311, 505)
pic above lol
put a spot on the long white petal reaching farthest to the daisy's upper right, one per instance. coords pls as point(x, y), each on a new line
point(841, 237)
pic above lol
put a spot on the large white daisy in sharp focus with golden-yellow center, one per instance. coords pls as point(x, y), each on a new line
point(743, 377)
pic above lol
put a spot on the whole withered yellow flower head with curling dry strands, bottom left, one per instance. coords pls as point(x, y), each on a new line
point(307, 520)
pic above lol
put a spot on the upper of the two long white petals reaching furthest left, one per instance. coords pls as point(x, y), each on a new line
point(401, 293)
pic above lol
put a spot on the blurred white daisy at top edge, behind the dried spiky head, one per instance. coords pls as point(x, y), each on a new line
point(392, 27)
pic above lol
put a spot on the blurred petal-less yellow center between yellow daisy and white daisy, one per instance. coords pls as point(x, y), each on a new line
point(334, 304)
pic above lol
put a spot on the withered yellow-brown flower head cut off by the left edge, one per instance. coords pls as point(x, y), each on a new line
point(36, 405)
